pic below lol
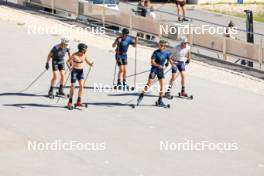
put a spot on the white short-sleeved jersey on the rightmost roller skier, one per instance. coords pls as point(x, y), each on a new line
point(179, 54)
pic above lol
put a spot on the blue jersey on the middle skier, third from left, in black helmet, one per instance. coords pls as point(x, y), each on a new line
point(122, 46)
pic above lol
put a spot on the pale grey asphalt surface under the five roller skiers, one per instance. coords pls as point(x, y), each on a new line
point(218, 113)
